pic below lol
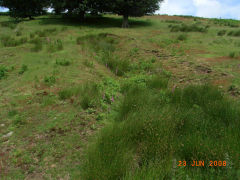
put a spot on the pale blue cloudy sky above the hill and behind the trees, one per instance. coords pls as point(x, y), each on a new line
point(229, 9)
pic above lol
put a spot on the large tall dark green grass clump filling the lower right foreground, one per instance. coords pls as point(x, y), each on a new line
point(155, 128)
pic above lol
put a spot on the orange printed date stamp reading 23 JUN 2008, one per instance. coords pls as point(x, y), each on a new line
point(203, 163)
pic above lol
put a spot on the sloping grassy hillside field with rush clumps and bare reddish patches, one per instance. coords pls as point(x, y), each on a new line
point(94, 101)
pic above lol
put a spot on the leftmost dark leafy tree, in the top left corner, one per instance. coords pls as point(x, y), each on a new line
point(23, 8)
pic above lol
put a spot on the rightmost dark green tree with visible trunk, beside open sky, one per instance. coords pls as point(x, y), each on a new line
point(128, 8)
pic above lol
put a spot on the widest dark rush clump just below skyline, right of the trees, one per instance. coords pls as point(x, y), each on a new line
point(188, 28)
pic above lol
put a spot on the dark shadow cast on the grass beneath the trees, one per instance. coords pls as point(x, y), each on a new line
point(93, 21)
